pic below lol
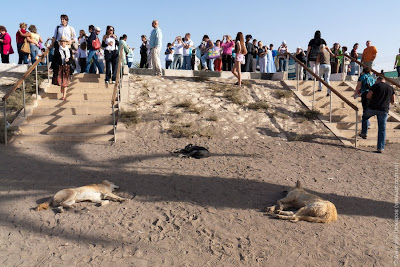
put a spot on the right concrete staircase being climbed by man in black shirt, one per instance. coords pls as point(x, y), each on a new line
point(343, 116)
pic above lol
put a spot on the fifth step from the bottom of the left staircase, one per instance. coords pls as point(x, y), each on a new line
point(46, 102)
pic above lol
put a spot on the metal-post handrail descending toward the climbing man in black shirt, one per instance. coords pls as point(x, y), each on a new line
point(316, 77)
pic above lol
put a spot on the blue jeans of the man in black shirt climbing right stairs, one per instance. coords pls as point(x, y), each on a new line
point(382, 118)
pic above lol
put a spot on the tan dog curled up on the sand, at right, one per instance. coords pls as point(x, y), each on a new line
point(310, 207)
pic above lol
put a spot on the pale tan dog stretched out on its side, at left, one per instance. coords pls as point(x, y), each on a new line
point(97, 193)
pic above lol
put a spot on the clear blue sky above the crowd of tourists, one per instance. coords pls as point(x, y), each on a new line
point(295, 21)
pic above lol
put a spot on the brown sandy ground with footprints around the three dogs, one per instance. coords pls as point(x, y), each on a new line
point(207, 212)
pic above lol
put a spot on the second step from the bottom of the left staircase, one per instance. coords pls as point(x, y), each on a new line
point(73, 128)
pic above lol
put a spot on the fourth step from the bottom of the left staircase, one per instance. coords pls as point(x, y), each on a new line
point(71, 111)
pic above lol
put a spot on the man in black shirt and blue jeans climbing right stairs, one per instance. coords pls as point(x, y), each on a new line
point(381, 95)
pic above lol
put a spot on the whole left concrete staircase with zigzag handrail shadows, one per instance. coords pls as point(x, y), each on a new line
point(85, 116)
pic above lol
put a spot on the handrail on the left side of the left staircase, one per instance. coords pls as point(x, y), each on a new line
point(18, 84)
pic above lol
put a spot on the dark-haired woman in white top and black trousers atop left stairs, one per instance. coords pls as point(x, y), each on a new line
point(110, 44)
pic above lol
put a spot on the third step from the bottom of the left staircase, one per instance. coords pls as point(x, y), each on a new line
point(70, 119)
